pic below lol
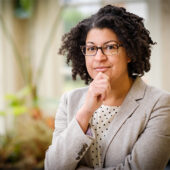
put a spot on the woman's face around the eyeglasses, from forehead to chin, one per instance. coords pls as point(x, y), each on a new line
point(115, 66)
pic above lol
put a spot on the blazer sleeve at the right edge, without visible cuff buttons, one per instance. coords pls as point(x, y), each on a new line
point(152, 149)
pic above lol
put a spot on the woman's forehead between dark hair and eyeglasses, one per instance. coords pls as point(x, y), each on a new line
point(100, 36)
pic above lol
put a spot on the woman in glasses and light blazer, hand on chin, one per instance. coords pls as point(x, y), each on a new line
point(117, 122)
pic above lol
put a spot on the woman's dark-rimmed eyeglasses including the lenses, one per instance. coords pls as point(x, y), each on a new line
point(108, 49)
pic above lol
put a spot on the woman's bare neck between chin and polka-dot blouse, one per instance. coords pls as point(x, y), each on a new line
point(118, 91)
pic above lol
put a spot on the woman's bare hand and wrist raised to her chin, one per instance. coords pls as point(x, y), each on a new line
point(97, 93)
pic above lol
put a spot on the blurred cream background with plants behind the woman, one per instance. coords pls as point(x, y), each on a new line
point(33, 76)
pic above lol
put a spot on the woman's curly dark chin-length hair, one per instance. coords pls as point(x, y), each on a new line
point(130, 31)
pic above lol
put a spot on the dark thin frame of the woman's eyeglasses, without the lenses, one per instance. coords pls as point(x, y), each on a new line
point(101, 48)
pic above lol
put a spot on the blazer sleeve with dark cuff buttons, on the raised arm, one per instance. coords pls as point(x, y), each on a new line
point(69, 143)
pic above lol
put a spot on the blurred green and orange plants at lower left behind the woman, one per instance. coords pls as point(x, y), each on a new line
point(24, 146)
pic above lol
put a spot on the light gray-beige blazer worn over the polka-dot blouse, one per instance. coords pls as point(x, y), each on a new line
point(139, 135)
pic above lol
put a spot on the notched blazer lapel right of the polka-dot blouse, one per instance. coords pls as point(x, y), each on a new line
point(127, 108)
